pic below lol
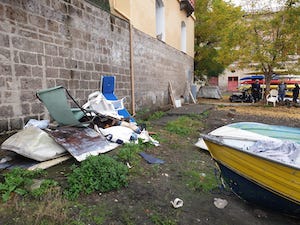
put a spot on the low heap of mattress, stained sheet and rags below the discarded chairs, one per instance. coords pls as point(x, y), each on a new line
point(47, 144)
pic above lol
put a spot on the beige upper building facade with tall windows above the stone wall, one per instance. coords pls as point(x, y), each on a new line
point(166, 20)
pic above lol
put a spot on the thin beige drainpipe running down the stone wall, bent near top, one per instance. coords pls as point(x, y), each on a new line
point(131, 58)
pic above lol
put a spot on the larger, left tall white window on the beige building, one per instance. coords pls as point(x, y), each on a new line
point(160, 20)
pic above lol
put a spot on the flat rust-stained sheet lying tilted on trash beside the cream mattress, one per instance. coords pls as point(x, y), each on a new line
point(81, 142)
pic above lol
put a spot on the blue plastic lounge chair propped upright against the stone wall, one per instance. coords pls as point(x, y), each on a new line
point(107, 87)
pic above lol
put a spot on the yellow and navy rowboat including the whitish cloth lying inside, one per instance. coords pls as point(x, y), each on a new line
point(264, 172)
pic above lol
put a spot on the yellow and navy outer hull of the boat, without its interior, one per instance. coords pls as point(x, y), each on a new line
point(256, 179)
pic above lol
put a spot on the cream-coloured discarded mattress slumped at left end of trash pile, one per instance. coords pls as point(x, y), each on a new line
point(33, 143)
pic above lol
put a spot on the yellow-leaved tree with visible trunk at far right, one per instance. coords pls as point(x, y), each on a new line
point(271, 39)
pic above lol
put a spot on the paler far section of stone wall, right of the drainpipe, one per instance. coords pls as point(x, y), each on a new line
point(155, 65)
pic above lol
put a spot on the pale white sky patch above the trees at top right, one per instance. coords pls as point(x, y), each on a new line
point(250, 5)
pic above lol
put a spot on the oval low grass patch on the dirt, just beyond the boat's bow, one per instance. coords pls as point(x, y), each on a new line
point(183, 126)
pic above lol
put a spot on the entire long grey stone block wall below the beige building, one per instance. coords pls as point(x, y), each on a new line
point(44, 43)
